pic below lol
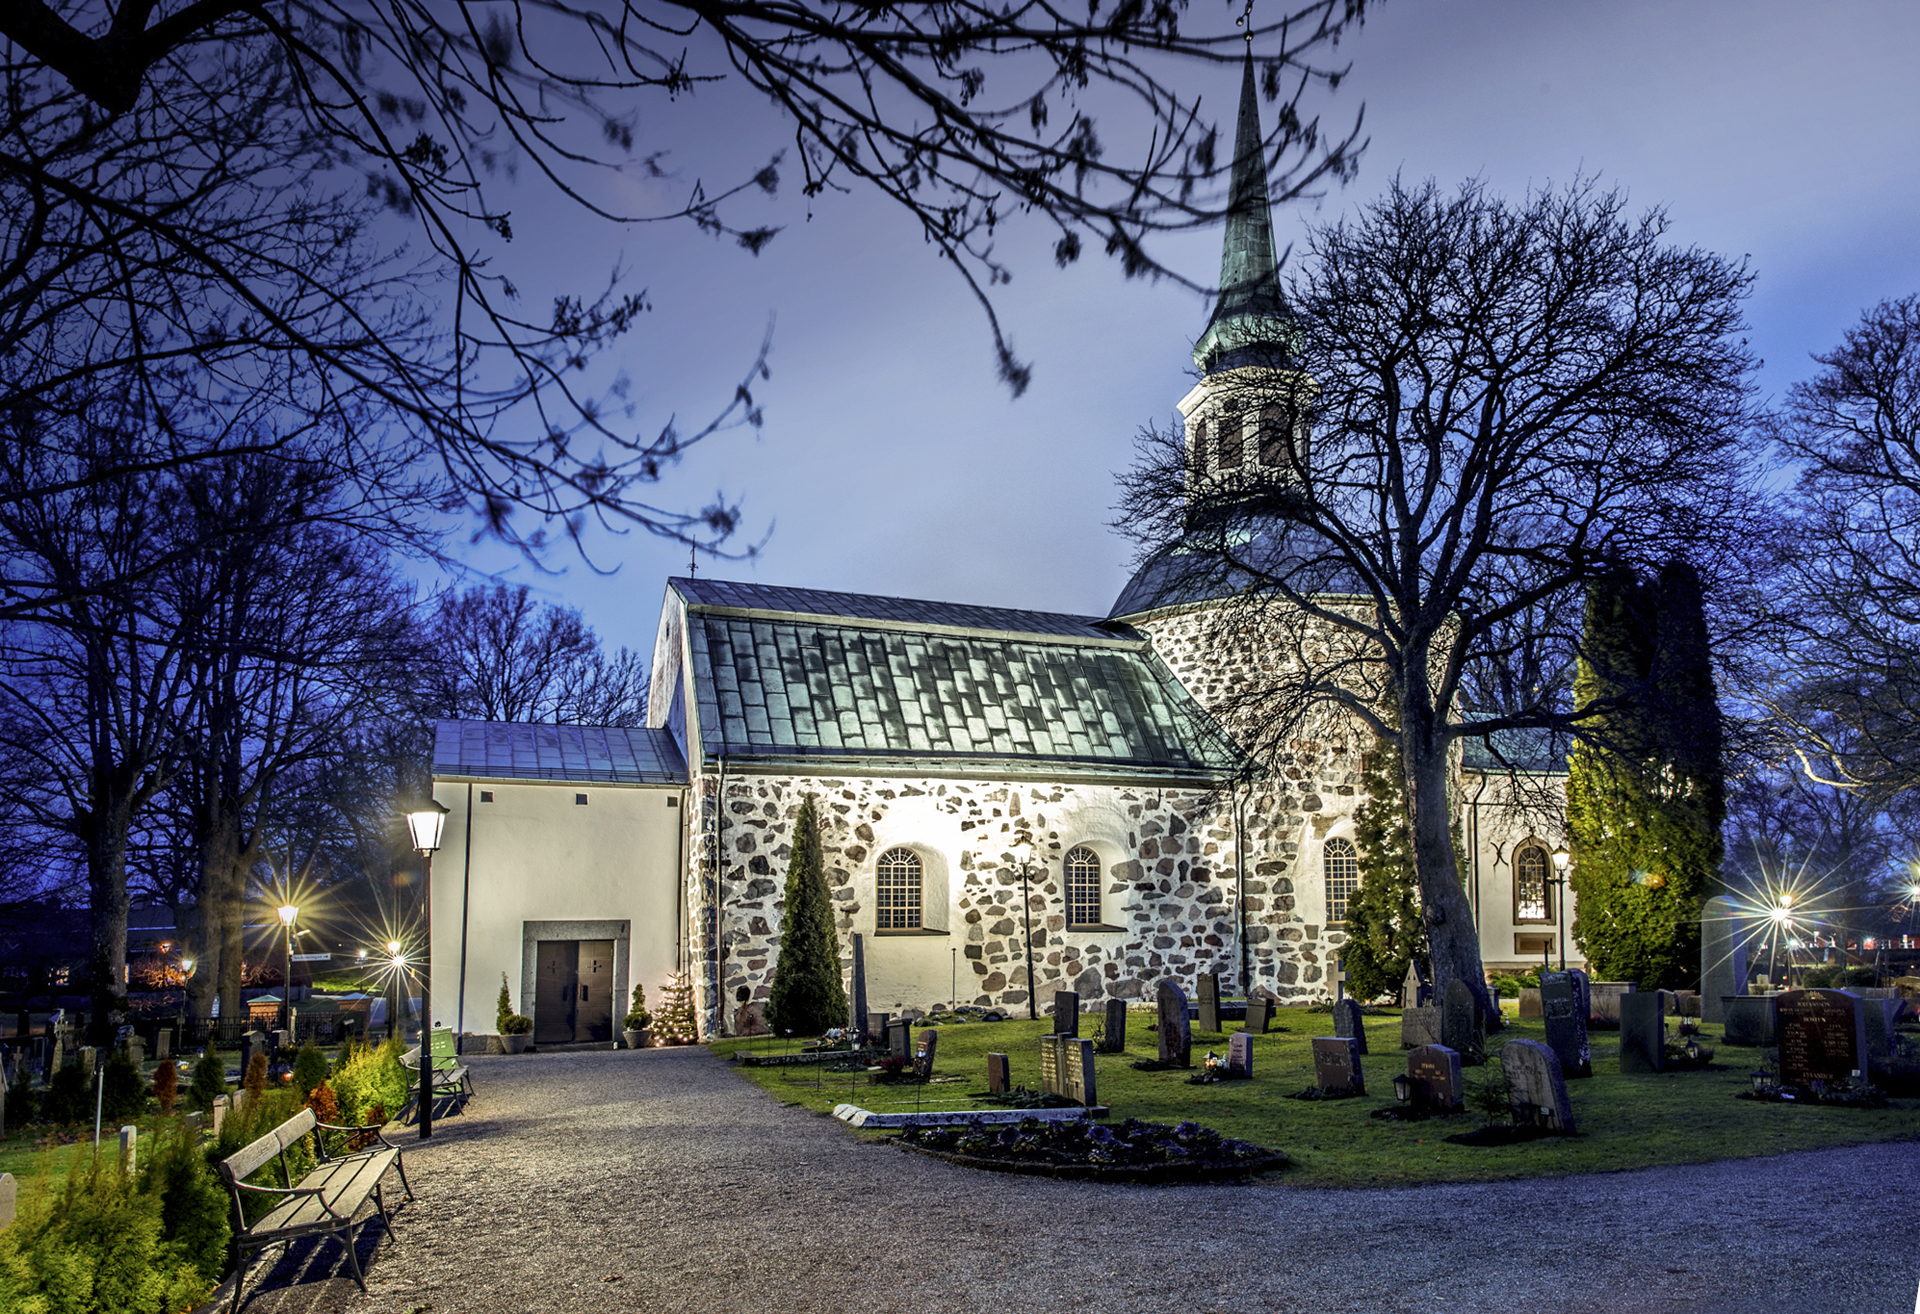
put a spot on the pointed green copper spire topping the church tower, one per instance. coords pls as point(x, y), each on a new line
point(1251, 324)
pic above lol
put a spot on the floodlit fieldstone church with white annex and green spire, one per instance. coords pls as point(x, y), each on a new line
point(1011, 802)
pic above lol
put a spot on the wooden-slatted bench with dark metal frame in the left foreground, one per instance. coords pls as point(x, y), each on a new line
point(324, 1204)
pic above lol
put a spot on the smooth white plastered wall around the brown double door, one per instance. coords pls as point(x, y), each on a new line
point(542, 858)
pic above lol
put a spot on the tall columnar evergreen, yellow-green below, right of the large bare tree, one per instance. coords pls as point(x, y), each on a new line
point(1644, 796)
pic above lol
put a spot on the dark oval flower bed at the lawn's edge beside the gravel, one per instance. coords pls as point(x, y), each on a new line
point(1090, 1152)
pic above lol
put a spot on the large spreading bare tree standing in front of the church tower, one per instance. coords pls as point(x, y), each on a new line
point(1481, 404)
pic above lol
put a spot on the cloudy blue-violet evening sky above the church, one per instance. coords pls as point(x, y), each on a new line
point(892, 458)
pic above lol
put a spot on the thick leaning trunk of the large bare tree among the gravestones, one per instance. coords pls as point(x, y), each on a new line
point(1452, 938)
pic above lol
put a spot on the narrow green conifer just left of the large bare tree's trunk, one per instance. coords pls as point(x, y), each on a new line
point(1383, 921)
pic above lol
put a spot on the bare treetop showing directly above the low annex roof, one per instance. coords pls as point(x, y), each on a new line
point(506, 658)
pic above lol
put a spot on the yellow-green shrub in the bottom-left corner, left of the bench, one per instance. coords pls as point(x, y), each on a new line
point(99, 1246)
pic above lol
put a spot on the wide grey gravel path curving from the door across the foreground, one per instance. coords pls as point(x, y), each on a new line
point(658, 1180)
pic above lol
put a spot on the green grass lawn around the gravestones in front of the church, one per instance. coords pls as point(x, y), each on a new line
point(1623, 1121)
